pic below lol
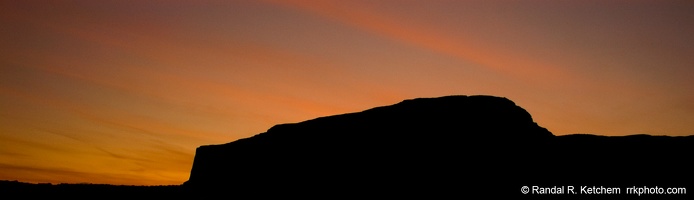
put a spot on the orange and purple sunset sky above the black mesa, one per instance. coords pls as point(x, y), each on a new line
point(122, 92)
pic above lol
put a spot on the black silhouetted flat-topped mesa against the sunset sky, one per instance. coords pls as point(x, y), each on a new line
point(451, 145)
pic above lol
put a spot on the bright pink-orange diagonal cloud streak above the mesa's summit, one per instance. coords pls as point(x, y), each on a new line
point(361, 16)
